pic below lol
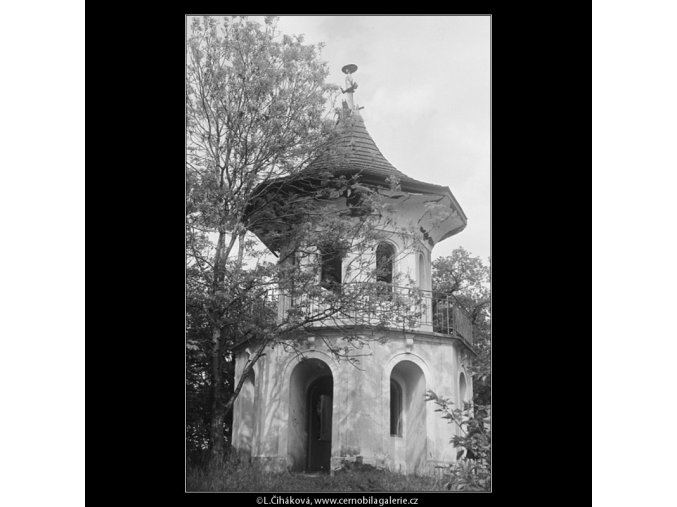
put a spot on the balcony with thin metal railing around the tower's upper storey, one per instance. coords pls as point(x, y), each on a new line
point(378, 305)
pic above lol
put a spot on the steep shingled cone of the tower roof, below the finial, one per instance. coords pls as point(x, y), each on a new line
point(354, 151)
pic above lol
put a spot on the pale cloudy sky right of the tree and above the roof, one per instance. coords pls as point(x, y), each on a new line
point(424, 83)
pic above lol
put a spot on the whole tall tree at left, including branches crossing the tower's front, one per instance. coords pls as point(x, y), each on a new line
point(257, 113)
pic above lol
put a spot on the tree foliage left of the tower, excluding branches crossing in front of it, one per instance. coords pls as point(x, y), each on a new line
point(255, 102)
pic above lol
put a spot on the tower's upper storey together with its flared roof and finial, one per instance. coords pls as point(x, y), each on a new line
point(413, 215)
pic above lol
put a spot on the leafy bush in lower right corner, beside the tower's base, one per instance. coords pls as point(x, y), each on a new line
point(472, 470)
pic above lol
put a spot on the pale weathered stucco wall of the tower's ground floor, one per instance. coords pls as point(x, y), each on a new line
point(361, 403)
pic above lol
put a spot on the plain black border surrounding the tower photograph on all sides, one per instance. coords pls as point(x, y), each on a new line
point(541, 75)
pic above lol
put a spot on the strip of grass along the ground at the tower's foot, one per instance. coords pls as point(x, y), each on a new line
point(247, 477)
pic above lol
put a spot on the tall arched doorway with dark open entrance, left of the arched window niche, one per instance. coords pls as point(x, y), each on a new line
point(310, 416)
